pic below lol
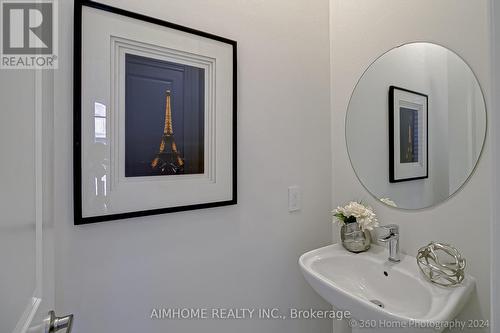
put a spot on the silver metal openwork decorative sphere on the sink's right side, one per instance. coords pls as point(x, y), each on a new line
point(441, 264)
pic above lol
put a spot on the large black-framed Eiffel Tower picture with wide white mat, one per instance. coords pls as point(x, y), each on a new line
point(154, 116)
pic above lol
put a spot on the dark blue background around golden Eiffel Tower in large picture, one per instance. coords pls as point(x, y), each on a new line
point(147, 81)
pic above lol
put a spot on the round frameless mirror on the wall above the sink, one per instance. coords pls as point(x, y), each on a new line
point(416, 125)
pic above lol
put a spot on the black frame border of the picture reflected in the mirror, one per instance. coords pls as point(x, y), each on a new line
point(392, 155)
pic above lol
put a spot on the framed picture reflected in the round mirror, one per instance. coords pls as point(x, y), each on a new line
point(408, 135)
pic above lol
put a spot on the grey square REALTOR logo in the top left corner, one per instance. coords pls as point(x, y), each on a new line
point(29, 32)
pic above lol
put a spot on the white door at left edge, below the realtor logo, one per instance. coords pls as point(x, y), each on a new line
point(18, 195)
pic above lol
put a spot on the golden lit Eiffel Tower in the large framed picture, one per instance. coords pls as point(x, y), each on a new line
point(168, 161)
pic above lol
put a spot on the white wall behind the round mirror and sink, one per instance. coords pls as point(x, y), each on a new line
point(361, 30)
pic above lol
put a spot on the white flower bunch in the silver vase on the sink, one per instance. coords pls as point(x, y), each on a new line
point(355, 212)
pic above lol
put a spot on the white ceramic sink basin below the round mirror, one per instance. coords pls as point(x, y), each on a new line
point(373, 289)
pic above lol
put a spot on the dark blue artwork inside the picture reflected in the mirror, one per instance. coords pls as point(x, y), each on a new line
point(408, 117)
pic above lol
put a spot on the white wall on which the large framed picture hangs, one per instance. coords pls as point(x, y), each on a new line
point(112, 274)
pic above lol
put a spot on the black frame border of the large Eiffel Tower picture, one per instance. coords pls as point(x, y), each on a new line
point(79, 219)
